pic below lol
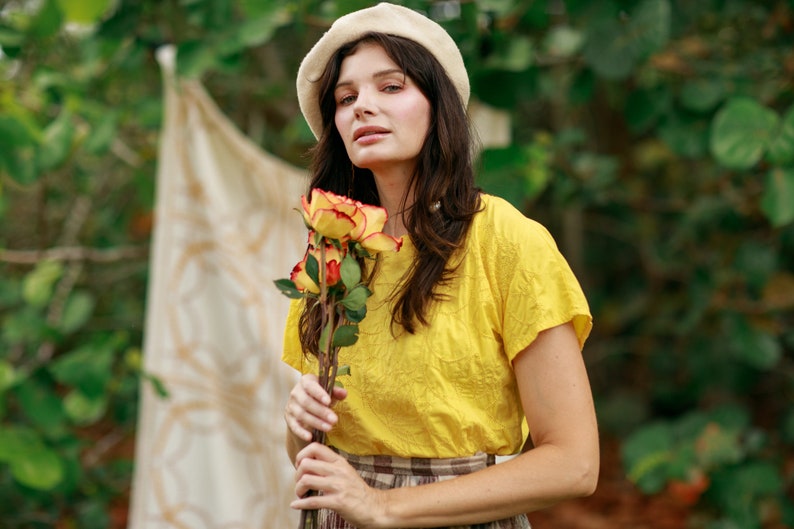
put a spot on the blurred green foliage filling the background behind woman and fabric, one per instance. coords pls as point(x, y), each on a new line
point(655, 138)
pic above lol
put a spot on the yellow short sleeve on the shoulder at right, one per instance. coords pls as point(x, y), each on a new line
point(538, 288)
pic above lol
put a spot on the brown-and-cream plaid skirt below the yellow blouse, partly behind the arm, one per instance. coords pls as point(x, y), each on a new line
point(386, 472)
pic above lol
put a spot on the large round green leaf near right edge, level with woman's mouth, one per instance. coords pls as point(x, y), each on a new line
point(741, 132)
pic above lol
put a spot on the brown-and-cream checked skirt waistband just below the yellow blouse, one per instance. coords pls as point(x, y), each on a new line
point(419, 466)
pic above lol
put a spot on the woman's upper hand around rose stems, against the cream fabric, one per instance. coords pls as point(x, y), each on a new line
point(309, 408)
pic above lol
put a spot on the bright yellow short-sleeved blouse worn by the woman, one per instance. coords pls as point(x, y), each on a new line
point(449, 389)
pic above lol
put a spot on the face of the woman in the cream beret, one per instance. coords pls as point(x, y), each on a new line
point(381, 114)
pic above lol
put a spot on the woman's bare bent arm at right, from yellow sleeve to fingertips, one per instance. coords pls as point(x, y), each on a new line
point(558, 403)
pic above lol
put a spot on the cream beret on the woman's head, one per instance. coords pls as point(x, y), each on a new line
point(382, 18)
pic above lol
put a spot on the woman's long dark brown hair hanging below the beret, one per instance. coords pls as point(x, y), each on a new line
point(444, 174)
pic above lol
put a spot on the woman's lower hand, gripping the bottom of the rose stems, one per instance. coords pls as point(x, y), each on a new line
point(343, 490)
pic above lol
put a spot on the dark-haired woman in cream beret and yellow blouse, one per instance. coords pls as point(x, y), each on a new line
point(475, 326)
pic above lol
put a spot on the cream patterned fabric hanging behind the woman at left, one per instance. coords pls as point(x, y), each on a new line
point(211, 455)
